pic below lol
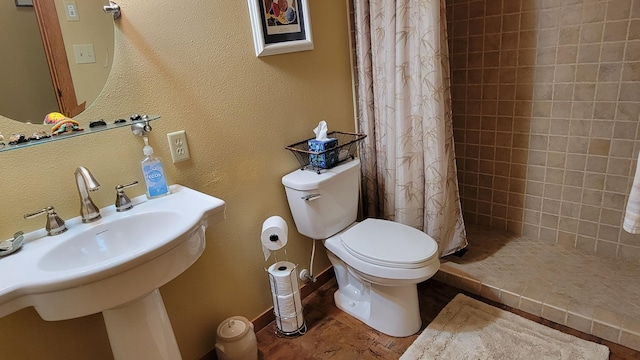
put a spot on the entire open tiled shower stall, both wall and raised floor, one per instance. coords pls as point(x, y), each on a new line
point(546, 98)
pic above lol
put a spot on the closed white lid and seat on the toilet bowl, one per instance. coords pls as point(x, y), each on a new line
point(390, 244)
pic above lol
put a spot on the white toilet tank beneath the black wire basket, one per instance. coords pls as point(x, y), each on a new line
point(326, 203)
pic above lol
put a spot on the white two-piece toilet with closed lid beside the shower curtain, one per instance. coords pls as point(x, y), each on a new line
point(378, 263)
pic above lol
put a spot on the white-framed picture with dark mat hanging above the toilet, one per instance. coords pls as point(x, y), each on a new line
point(280, 26)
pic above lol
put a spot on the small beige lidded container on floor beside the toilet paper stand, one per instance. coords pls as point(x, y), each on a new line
point(236, 340)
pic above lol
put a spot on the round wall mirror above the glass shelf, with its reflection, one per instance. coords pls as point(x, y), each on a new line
point(64, 75)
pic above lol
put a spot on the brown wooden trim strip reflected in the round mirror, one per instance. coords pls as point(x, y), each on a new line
point(48, 23)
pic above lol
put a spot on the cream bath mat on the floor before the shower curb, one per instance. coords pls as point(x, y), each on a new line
point(470, 329)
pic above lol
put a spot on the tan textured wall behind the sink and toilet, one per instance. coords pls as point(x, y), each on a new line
point(194, 64)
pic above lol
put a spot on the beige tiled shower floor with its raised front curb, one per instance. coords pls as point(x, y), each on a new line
point(567, 286)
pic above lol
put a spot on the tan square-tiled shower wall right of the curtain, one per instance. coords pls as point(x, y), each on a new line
point(546, 98)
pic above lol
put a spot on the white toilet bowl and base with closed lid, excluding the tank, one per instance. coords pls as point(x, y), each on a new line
point(377, 274)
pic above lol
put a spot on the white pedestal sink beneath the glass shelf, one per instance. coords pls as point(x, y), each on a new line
point(115, 266)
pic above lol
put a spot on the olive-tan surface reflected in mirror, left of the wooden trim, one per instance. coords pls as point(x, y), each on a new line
point(26, 92)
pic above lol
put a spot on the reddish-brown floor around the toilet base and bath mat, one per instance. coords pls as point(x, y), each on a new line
point(332, 334)
